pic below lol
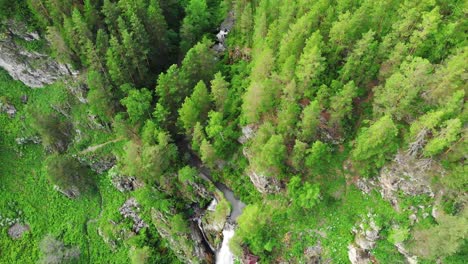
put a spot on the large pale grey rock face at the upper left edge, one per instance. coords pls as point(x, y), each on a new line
point(33, 69)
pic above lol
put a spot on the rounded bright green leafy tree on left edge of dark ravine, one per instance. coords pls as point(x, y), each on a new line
point(138, 104)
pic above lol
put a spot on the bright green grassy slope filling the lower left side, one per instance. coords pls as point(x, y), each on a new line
point(24, 187)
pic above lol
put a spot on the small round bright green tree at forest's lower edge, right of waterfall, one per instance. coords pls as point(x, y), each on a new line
point(304, 195)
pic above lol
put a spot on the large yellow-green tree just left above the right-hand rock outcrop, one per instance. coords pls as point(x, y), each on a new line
point(374, 144)
